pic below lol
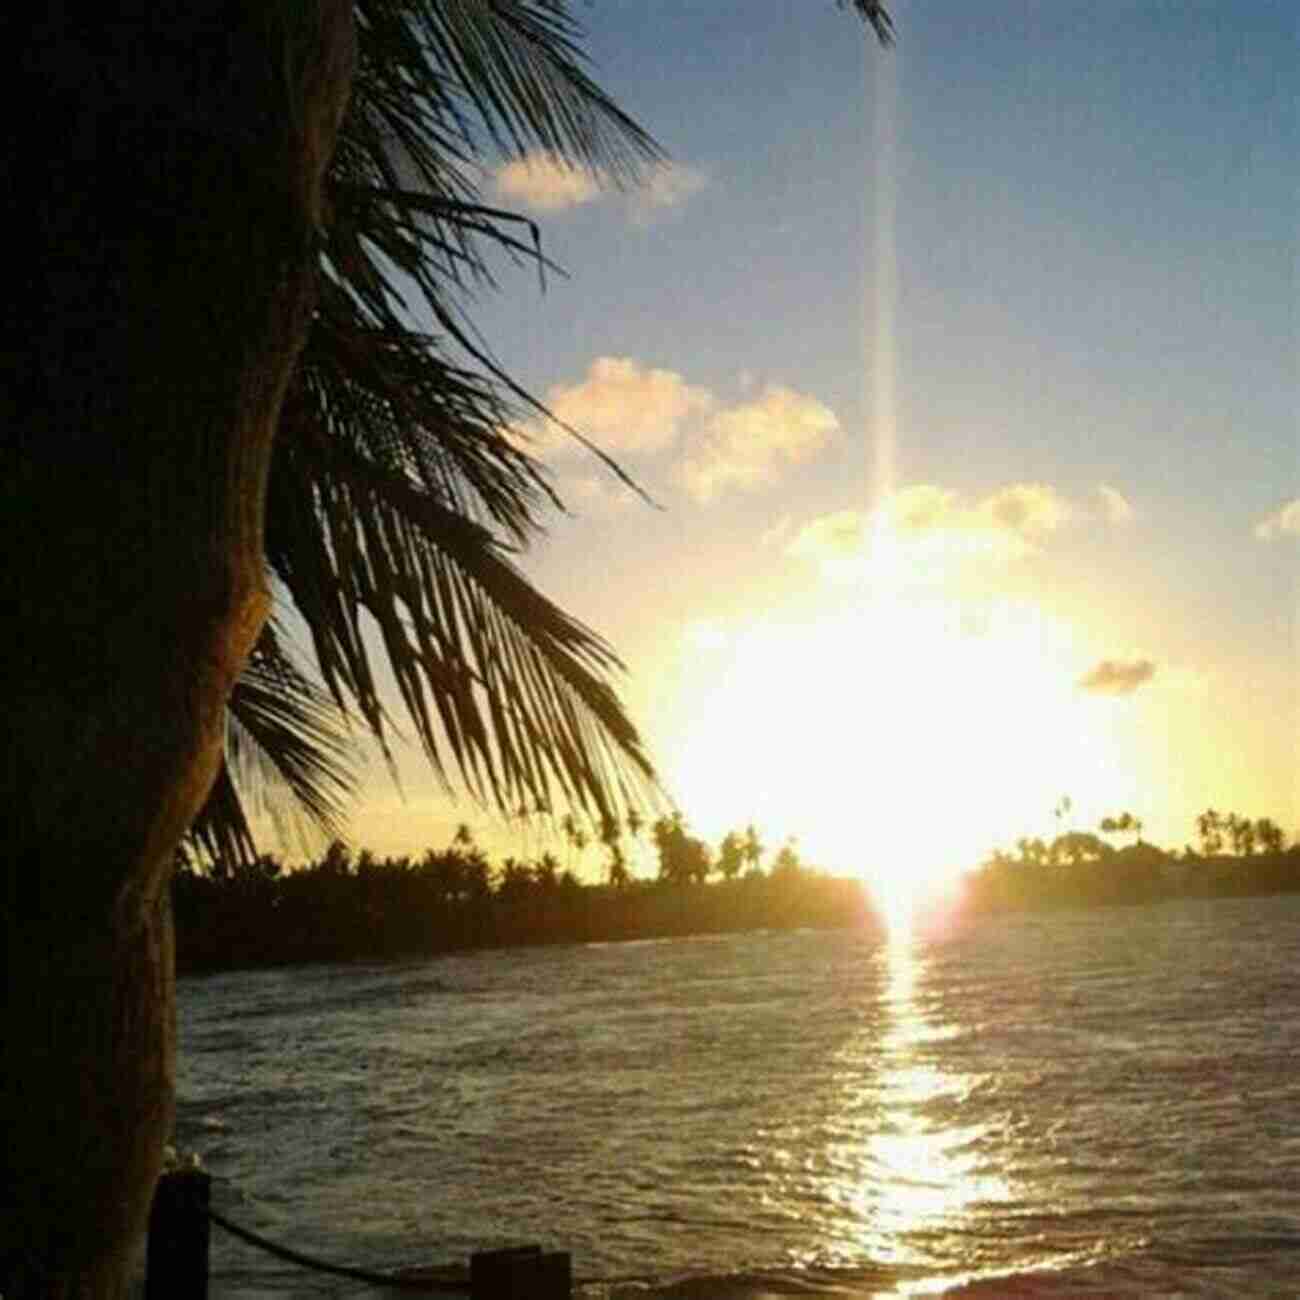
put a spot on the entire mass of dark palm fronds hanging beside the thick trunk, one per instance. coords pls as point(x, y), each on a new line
point(397, 495)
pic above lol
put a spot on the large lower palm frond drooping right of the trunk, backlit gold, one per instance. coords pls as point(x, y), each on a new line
point(508, 694)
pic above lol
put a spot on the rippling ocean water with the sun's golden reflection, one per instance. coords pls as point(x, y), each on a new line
point(1097, 1103)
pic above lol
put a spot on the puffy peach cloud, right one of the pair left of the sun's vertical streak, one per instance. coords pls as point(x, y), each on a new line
point(743, 447)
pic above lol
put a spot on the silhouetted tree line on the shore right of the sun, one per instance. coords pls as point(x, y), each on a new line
point(1081, 869)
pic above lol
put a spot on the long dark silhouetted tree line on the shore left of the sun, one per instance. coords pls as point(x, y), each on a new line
point(344, 907)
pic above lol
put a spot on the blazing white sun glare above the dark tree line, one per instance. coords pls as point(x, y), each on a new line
point(899, 739)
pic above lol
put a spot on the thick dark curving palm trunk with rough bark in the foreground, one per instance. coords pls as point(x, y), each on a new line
point(162, 189)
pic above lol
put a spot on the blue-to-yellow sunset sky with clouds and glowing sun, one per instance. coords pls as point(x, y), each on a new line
point(965, 378)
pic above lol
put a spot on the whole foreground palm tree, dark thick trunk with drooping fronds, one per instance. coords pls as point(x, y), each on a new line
point(218, 254)
